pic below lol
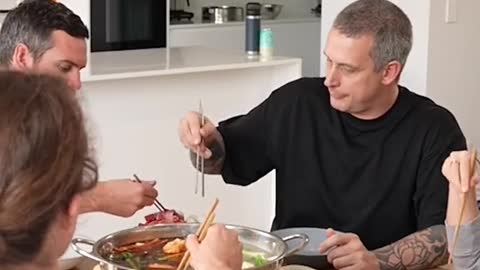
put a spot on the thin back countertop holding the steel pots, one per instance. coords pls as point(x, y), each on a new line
point(199, 24)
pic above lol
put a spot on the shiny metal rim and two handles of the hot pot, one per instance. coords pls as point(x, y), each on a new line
point(275, 248)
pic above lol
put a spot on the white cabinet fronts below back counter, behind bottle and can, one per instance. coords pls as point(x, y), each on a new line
point(294, 38)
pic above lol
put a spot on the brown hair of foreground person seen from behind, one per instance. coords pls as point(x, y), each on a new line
point(44, 161)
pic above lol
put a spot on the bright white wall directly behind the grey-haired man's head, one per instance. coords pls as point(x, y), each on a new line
point(414, 75)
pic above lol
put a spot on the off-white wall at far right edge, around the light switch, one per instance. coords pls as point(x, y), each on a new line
point(453, 74)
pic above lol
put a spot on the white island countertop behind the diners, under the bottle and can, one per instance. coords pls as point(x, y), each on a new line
point(181, 60)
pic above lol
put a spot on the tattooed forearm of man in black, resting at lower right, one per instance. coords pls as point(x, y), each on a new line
point(421, 250)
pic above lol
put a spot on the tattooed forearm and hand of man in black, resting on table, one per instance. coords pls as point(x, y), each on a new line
point(421, 250)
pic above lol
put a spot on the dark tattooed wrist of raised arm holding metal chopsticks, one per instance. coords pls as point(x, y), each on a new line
point(214, 164)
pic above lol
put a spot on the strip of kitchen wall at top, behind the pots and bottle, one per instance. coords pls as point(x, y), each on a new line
point(291, 8)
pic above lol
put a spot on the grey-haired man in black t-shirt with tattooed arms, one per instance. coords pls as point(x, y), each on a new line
point(353, 151)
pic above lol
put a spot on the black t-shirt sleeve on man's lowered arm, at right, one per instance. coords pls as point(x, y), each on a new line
point(431, 194)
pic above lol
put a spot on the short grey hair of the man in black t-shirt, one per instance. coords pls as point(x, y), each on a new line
point(387, 23)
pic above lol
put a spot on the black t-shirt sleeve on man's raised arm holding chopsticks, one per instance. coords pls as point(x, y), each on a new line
point(252, 140)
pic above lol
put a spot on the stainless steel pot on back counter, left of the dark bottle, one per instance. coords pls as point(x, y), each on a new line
point(222, 14)
